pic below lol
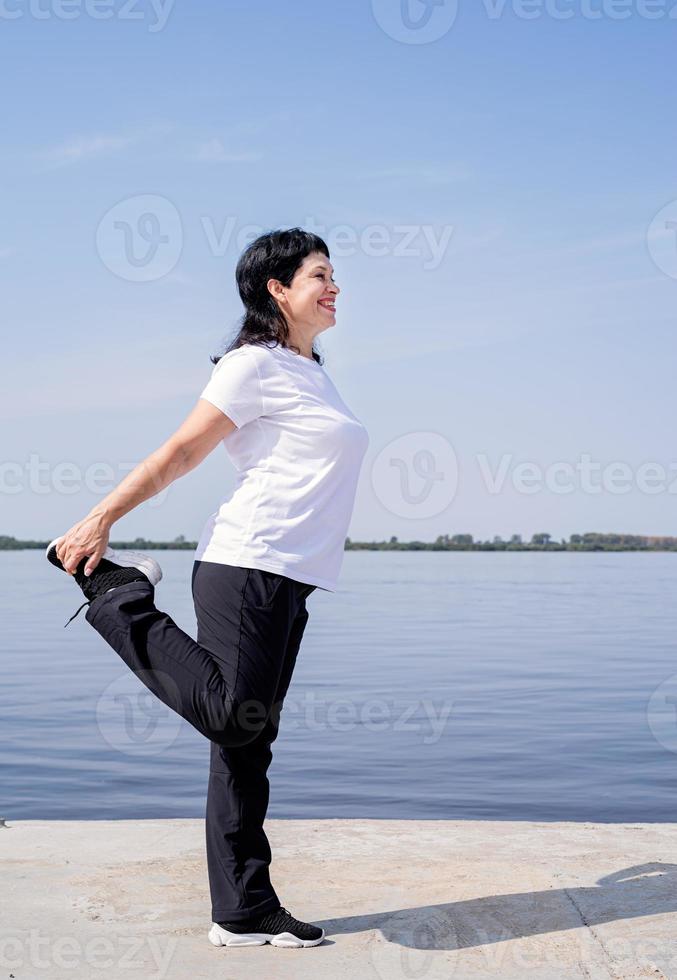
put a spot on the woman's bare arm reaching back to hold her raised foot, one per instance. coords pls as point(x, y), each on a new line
point(195, 438)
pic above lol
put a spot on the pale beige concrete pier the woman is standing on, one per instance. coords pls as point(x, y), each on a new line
point(414, 899)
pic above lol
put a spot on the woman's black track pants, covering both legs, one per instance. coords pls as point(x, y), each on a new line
point(230, 685)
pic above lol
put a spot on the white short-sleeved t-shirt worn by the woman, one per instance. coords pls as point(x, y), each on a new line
point(298, 450)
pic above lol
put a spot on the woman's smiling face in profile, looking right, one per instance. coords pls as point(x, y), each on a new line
point(308, 303)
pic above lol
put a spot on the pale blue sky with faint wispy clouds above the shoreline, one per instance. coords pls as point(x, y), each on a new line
point(497, 198)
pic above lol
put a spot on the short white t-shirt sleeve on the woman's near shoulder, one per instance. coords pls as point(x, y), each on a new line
point(235, 386)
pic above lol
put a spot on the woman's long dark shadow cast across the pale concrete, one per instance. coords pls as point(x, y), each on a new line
point(645, 889)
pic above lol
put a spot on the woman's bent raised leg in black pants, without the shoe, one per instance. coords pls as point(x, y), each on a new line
point(225, 692)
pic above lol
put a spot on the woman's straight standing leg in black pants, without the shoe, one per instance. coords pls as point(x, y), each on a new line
point(238, 851)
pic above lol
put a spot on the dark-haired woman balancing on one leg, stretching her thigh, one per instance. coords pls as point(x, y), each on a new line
point(277, 537)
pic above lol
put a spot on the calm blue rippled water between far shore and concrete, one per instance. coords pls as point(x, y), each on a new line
point(468, 685)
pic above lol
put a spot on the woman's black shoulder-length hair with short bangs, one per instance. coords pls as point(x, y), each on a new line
point(274, 255)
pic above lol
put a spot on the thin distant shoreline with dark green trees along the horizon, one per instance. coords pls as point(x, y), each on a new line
point(459, 542)
